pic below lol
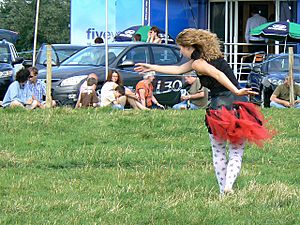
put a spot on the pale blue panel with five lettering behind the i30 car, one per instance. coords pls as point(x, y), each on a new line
point(88, 18)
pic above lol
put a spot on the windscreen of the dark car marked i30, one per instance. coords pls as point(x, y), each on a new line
point(94, 55)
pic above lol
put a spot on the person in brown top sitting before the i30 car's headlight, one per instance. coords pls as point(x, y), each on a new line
point(88, 96)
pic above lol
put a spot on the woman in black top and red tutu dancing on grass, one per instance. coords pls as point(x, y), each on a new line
point(229, 118)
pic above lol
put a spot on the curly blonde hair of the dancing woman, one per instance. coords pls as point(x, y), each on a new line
point(207, 43)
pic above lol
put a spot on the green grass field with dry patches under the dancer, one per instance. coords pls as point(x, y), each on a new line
point(98, 166)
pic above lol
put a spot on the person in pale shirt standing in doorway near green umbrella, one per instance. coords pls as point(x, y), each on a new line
point(252, 22)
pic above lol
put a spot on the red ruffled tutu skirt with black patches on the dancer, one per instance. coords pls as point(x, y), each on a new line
point(243, 122)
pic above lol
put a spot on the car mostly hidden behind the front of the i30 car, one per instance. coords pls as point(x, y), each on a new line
point(59, 53)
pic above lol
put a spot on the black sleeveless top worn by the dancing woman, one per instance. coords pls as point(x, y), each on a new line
point(212, 84)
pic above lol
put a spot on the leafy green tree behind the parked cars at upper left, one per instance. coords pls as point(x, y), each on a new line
point(53, 25)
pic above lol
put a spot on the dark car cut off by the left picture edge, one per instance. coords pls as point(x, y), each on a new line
point(10, 63)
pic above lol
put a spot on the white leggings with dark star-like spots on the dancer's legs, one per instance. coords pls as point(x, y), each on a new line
point(226, 170)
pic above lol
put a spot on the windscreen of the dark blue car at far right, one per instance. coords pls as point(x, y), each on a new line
point(281, 65)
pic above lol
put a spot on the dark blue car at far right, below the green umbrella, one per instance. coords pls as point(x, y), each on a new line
point(266, 76)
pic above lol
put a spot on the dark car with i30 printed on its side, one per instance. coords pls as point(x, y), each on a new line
point(122, 56)
